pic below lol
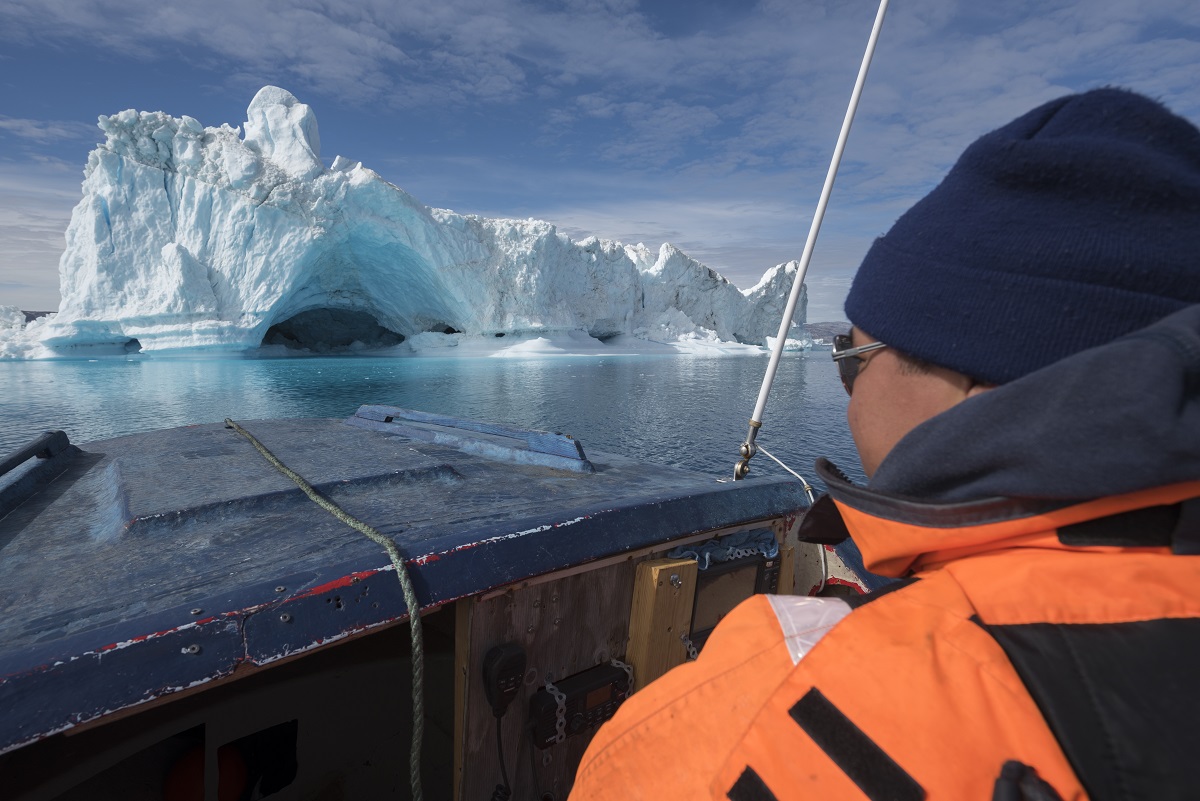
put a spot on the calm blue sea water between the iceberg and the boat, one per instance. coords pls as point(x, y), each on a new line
point(682, 411)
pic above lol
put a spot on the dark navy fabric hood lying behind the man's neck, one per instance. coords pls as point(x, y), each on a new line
point(1113, 420)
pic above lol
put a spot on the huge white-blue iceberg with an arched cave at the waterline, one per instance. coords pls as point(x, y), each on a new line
point(201, 238)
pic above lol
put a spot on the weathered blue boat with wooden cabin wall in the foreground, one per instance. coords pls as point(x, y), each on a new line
point(181, 621)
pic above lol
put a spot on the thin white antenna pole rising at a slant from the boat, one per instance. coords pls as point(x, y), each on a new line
point(748, 448)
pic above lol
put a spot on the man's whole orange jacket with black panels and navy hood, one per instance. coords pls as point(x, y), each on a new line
point(1046, 647)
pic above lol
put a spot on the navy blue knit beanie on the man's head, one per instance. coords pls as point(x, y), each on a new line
point(1072, 226)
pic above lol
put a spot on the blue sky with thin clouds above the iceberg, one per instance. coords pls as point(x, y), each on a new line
point(706, 124)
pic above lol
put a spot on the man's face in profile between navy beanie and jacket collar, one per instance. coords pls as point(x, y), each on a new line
point(892, 398)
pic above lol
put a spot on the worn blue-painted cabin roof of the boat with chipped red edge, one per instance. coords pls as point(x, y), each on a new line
point(157, 562)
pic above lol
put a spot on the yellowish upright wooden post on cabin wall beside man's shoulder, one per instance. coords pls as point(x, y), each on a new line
point(664, 592)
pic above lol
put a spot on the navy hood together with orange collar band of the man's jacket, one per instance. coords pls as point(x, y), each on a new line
point(1099, 435)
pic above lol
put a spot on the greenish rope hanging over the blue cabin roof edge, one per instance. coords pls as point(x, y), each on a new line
point(406, 583)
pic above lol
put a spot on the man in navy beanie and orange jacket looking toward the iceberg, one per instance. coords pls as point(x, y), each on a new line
point(1025, 396)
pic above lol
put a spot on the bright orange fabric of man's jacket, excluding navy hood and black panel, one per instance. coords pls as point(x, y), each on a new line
point(909, 696)
